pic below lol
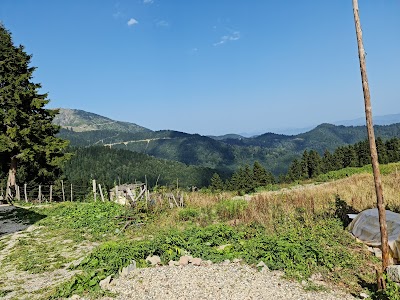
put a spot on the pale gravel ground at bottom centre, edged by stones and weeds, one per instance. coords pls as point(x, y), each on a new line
point(233, 281)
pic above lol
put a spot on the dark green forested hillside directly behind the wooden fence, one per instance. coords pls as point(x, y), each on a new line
point(109, 166)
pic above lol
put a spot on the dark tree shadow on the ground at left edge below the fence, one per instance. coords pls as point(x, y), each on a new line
point(13, 219)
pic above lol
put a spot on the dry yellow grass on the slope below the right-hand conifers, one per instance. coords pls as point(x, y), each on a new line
point(358, 191)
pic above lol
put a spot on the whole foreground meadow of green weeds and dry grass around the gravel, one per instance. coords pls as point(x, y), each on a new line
point(297, 228)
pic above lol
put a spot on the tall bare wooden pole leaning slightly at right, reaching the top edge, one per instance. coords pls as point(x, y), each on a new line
point(371, 138)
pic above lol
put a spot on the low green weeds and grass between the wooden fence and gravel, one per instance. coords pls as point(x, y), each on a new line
point(284, 235)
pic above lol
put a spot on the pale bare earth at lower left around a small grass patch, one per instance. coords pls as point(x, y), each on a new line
point(18, 284)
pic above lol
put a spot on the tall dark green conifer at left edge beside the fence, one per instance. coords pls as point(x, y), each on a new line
point(27, 135)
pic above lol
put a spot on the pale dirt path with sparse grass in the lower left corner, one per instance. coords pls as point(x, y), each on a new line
point(15, 233)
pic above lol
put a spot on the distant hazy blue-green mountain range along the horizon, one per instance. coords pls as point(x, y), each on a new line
point(223, 153)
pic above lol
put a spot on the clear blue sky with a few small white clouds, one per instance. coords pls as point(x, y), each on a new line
point(211, 66)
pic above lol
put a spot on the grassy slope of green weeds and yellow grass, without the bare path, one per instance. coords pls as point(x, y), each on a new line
point(294, 229)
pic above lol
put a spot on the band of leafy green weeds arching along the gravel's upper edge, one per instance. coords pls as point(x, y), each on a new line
point(297, 249)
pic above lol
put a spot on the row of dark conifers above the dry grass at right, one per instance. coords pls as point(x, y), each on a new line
point(308, 166)
